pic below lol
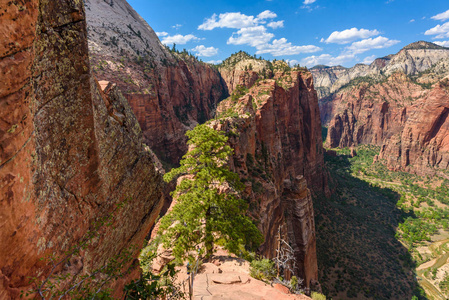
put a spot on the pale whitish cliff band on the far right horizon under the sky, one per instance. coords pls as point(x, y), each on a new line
point(411, 60)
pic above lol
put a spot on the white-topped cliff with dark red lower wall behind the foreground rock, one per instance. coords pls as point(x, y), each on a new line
point(170, 92)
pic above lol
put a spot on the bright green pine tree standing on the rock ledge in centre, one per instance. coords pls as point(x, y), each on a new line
point(208, 206)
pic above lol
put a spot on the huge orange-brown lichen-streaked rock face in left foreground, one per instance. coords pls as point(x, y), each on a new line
point(69, 153)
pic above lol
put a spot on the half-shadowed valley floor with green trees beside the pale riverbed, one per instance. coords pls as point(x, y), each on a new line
point(386, 219)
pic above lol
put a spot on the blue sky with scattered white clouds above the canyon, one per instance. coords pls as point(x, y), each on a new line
point(308, 32)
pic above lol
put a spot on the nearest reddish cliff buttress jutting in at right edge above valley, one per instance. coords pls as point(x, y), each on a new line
point(424, 140)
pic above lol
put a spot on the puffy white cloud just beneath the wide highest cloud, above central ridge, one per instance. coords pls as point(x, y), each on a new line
point(253, 36)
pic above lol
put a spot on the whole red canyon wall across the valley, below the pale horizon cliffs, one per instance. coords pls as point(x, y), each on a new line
point(406, 115)
